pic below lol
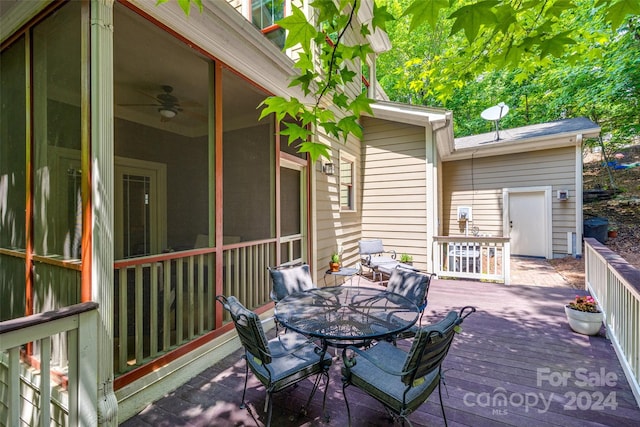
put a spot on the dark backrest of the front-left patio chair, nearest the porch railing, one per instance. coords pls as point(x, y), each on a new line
point(249, 328)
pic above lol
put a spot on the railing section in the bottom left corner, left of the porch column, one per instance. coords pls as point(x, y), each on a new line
point(32, 396)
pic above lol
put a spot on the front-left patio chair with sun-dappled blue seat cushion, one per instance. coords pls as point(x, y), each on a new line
point(280, 362)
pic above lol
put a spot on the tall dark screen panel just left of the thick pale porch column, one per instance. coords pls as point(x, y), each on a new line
point(57, 134)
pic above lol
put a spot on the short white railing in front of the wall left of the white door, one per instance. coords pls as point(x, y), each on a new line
point(472, 257)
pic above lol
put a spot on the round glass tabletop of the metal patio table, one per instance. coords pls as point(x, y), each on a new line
point(341, 316)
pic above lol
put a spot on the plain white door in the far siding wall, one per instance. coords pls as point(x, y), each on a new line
point(528, 223)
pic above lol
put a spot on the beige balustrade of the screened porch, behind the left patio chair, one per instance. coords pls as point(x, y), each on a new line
point(164, 301)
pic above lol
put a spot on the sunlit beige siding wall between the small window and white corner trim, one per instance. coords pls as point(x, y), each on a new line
point(393, 197)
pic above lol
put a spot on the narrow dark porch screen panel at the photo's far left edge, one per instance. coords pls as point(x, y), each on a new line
point(12, 177)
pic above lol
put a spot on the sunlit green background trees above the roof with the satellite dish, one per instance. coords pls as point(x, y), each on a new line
point(595, 74)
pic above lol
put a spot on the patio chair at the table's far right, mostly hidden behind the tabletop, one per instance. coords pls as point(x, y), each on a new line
point(413, 285)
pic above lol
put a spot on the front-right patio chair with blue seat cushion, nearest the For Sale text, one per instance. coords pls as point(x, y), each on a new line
point(376, 370)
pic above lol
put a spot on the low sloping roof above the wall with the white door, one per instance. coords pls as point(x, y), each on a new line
point(542, 136)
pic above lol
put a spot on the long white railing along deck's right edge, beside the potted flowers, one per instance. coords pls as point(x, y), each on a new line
point(615, 284)
